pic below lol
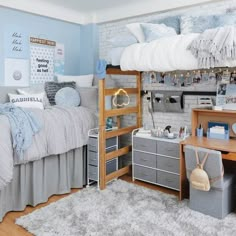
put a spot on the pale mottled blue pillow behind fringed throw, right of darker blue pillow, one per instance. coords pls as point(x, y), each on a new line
point(197, 24)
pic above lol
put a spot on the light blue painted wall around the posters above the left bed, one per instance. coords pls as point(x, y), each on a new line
point(79, 52)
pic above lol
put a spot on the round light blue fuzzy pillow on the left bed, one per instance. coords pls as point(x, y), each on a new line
point(67, 97)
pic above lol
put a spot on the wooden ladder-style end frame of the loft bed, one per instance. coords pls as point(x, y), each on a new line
point(104, 114)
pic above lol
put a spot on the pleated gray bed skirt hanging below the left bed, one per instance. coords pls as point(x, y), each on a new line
point(36, 181)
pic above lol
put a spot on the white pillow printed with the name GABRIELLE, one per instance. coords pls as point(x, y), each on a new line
point(27, 101)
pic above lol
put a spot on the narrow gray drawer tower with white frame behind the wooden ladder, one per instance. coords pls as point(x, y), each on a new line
point(93, 156)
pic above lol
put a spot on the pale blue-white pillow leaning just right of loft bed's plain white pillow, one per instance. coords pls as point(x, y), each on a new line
point(156, 31)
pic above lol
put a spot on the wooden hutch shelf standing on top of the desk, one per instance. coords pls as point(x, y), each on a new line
point(203, 116)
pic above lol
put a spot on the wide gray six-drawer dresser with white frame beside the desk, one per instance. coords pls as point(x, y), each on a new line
point(156, 161)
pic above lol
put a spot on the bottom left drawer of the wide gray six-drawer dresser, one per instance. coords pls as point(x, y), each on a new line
point(145, 174)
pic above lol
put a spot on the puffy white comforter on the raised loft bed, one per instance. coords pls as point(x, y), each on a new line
point(163, 55)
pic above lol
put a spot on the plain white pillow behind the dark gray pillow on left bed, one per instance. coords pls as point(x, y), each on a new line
point(81, 80)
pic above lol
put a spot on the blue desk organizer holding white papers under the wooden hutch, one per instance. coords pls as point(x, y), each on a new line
point(218, 130)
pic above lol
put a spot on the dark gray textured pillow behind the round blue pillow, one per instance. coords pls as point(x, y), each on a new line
point(51, 89)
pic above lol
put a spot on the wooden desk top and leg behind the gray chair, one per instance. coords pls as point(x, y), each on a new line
point(228, 146)
